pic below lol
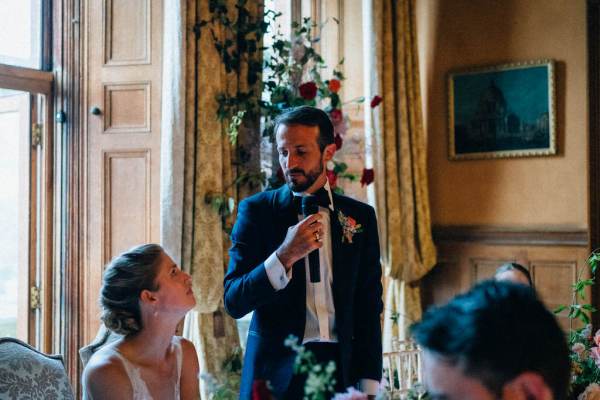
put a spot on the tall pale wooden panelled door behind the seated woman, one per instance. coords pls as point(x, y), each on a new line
point(122, 98)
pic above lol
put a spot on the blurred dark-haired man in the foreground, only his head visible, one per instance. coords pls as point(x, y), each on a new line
point(496, 341)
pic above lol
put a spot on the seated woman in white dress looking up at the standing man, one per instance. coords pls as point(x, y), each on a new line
point(144, 295)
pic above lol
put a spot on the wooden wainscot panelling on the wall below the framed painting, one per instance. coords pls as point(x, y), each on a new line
point(554, 265)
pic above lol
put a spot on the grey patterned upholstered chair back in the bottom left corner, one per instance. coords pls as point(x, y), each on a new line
point(26, 373)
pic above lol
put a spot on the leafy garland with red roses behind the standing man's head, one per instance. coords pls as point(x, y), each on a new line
point(291, 71)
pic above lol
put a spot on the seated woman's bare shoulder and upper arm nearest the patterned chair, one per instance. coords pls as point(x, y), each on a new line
point(104, 377)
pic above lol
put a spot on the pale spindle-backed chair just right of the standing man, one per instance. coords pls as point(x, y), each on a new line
point(402, 369)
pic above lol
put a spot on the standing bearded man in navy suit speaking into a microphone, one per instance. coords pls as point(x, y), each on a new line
point(337, 318)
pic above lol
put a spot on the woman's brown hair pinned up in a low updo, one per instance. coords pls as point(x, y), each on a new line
point(124, 279)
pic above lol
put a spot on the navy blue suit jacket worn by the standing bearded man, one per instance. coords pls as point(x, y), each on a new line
point(262, 223)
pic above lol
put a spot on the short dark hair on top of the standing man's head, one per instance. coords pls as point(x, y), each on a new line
point(308, 116)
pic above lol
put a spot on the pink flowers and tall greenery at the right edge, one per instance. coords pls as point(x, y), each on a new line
point(584, 345)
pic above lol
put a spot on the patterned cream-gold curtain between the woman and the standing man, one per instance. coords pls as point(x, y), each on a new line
point(209, 167)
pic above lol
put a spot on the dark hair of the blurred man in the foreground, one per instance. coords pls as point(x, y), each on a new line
point(495, 332)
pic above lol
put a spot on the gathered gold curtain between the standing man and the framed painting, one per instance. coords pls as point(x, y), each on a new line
point(396, 141)
